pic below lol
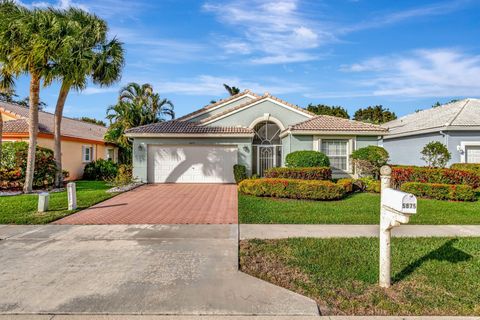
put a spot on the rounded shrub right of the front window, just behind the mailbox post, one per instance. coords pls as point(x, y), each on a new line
point(369, 160)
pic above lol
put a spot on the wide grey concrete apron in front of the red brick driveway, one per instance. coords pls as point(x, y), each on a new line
point(133, 270)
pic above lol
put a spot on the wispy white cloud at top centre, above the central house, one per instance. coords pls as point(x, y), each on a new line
point(273, 31)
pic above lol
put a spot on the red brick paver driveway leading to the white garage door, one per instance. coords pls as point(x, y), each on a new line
point(164, 204)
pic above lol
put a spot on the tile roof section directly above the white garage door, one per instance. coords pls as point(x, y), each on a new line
point(186, 127)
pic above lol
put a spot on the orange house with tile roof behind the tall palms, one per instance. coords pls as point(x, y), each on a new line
point(82, 142)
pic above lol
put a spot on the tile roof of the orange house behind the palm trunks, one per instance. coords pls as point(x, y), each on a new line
point(70, 127)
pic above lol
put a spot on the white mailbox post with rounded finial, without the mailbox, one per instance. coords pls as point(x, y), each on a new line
point(385, 227)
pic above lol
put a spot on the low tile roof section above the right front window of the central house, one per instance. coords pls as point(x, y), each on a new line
point(331, 123)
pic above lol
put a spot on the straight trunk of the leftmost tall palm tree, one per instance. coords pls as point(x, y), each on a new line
point(32, 130)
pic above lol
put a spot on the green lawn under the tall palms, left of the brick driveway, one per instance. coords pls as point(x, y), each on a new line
point(22, 209)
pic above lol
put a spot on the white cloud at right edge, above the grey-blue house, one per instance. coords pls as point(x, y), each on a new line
point(421, 73)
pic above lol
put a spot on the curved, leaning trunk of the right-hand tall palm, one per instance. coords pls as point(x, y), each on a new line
point(57, 132)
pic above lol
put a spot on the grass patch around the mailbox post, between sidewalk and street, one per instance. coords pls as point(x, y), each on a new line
point(431, 276)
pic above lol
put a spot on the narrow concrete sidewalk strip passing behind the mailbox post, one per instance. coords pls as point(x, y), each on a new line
point(279, 231)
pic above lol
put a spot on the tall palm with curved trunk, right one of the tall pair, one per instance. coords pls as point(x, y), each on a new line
point(90, 56)
